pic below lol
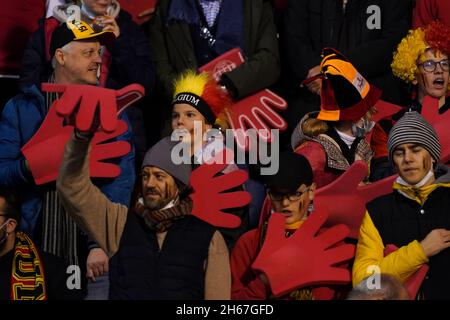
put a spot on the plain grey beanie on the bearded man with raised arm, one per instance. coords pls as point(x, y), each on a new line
point(160, 156)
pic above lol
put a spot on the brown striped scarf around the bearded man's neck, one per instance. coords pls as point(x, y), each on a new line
point(161, 220)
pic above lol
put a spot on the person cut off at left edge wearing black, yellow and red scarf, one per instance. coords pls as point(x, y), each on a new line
point(42, 276)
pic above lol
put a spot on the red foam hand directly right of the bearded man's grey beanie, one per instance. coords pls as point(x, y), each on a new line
point(209, 197)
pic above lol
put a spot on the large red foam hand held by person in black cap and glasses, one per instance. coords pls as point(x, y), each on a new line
point(305, 258)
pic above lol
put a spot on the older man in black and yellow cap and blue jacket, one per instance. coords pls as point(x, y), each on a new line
point(76, 61)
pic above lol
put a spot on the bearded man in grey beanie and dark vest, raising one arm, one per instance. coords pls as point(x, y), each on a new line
point(164, 252)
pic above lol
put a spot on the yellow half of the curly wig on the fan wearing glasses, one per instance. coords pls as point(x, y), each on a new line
point(408, 51)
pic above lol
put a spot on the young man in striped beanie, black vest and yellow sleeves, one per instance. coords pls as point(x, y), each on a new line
point(414, 217)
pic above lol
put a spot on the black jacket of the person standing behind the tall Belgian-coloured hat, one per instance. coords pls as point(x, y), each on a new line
point(311, 25)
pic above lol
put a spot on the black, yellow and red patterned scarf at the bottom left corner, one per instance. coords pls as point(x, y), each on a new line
point(27, 276)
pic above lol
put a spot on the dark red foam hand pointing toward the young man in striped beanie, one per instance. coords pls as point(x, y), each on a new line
point(345, 199)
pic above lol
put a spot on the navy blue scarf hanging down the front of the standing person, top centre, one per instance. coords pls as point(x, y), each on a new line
point(230, 22)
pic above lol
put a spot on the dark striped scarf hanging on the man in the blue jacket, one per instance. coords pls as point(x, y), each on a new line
point(59, 231)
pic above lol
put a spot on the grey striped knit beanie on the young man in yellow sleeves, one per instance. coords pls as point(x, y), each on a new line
point(413, 128)
